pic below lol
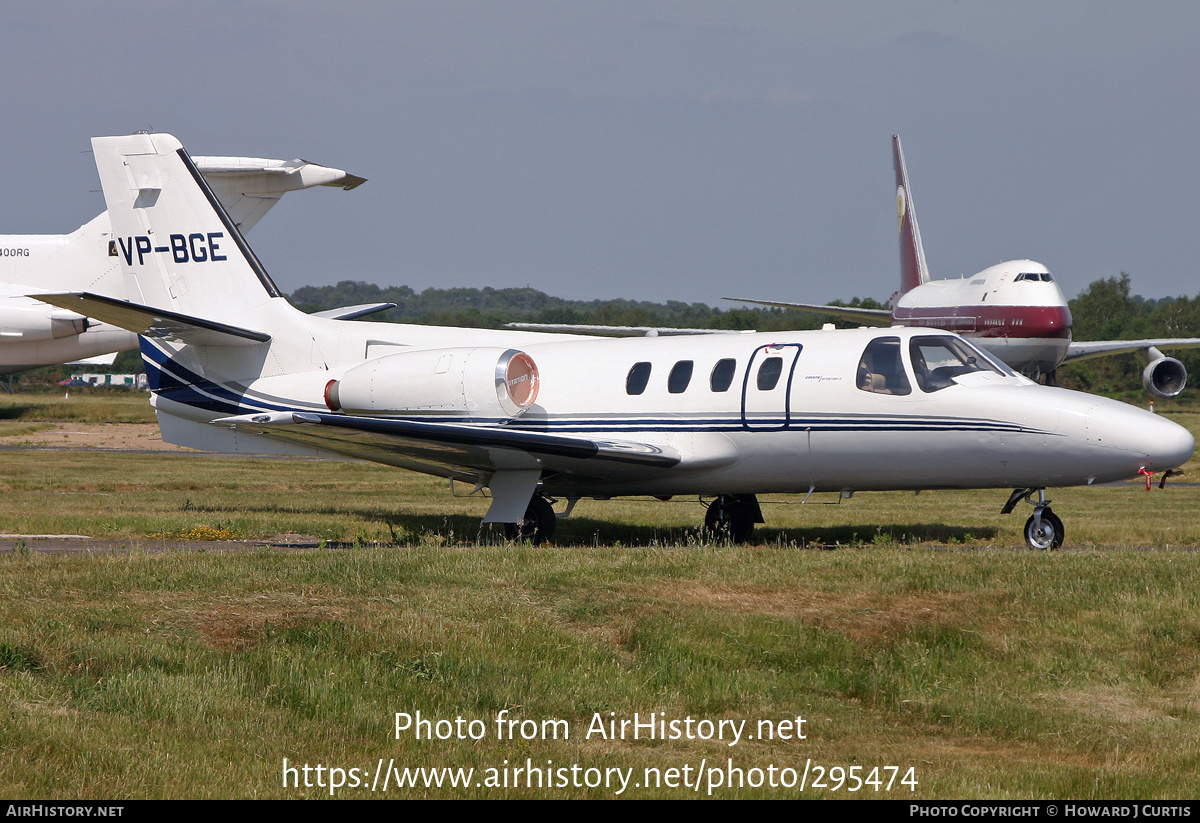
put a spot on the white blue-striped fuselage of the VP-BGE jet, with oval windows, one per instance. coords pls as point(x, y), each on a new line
point(755, 413)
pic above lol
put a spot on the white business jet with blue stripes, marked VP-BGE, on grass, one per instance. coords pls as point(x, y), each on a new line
point(535, 417)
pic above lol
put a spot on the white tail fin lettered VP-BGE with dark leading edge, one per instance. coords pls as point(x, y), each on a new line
point(176, 243)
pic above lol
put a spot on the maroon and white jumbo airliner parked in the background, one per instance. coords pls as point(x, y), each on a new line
point(1015, 309)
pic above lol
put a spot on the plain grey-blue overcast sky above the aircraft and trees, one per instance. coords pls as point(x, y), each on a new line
point(641, 149)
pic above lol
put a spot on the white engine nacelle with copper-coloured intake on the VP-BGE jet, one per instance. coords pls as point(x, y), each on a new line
point(487, 383)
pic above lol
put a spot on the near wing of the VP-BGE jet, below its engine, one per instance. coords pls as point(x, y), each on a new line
point(454, 450)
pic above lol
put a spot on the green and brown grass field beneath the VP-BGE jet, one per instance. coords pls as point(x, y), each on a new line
point(914, 633)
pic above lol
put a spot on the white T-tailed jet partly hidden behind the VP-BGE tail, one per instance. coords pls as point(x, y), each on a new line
point(34, 334)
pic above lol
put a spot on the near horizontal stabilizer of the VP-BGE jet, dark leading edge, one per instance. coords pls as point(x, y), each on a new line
point(154, 323)
